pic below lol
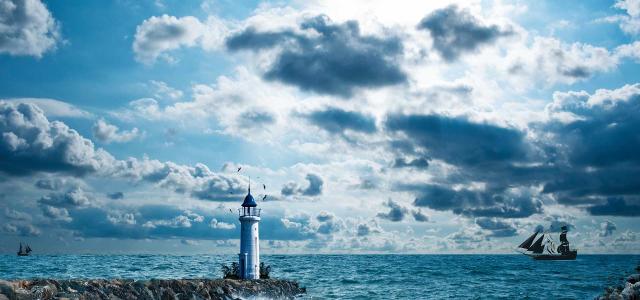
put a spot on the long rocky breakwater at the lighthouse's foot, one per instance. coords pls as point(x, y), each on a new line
point(149, 289)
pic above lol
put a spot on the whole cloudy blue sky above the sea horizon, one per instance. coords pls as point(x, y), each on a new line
point(363, 126)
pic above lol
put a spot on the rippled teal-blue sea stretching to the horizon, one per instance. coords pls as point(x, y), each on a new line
point(361, 276)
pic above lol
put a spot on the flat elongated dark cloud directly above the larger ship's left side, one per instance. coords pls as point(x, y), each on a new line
point(473, 203)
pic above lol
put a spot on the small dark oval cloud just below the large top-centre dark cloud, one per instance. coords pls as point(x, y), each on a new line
point(336, 120)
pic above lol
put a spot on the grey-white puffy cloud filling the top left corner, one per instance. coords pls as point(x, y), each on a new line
point(27, 28)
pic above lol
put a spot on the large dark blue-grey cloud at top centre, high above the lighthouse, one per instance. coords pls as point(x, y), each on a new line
point(327, 58)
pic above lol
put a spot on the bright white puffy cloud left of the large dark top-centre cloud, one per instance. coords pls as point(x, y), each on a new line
point(158, 35)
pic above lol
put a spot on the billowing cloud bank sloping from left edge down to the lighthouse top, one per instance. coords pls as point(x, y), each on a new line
point(30, 143)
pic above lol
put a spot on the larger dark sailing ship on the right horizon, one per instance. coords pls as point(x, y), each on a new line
point(540, 246)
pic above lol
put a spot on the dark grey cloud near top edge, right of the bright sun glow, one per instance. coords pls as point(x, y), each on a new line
point(455, 31)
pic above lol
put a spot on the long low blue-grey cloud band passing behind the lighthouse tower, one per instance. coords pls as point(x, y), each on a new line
point(169, 222)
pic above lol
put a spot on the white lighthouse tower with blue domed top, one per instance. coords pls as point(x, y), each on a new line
point(249, 238)
